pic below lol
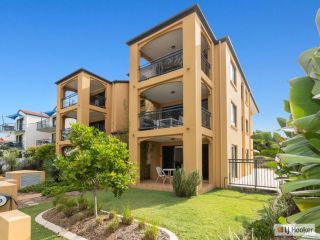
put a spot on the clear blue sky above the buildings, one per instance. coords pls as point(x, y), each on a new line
point(42, 41)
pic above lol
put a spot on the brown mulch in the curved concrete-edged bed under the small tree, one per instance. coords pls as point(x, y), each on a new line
point(90, 229)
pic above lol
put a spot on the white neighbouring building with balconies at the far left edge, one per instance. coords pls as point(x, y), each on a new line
point(22, 131)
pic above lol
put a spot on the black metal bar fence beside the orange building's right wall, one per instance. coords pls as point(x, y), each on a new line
point(252, 173)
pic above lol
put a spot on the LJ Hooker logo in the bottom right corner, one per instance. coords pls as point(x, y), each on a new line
point(293, 229)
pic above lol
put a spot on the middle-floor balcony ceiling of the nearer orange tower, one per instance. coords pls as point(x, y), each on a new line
point(169, 92)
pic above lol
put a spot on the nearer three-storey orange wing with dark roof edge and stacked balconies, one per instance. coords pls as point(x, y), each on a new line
point(190, 105)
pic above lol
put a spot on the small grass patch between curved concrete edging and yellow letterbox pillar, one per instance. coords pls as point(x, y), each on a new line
point(37, 231)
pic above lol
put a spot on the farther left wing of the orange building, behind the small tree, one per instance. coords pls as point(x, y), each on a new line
point(87, 98)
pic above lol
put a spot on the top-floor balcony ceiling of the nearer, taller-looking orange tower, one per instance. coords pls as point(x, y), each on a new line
point(163, 45)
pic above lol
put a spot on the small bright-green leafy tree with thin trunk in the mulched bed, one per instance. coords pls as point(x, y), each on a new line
point(98, 160)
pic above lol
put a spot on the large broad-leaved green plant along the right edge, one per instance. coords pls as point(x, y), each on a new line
point(299, 165)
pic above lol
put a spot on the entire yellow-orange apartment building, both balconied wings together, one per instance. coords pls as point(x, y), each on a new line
point(187, 103)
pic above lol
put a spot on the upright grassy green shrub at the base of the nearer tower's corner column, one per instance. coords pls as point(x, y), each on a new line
point(185, 185)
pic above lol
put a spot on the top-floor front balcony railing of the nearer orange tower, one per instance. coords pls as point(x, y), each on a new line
point(168, 63)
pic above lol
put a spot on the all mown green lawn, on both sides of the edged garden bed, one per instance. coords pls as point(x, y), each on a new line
point(208, 216)
